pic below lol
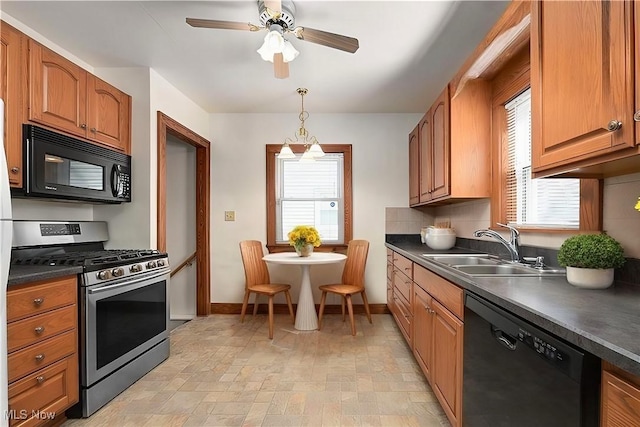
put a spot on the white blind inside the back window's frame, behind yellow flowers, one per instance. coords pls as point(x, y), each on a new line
point(310, 193)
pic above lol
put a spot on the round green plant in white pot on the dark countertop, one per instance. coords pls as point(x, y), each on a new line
point(590, 260)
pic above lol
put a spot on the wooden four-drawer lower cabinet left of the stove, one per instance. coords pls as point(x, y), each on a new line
point(42, 340)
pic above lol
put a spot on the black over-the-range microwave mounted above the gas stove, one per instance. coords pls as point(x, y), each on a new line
point(57, 166)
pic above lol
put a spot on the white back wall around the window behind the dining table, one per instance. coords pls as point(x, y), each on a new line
point(238, 183)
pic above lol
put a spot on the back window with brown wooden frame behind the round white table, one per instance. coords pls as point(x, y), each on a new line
point(312, 193)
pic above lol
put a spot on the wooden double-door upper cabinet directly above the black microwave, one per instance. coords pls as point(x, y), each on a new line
point(66, 97)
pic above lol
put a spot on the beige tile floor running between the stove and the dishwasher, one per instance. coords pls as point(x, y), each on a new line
point(224, 373)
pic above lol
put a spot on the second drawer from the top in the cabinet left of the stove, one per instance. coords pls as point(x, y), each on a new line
point(26, 332)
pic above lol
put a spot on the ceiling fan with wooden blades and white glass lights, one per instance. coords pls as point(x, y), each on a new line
point(278, 17)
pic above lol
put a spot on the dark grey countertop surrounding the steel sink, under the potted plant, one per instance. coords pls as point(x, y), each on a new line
point(604, 322)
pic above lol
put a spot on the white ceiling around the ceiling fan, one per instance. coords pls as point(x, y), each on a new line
point(408, 50)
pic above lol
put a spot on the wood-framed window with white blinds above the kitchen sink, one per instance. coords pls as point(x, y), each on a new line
point(541, 205)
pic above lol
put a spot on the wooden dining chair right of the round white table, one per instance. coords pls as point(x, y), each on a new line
point(352, 282)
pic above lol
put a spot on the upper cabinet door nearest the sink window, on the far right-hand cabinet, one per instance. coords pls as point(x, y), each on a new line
point(440, 146)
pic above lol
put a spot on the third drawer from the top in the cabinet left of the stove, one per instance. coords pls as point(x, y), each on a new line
point(34, 357)
